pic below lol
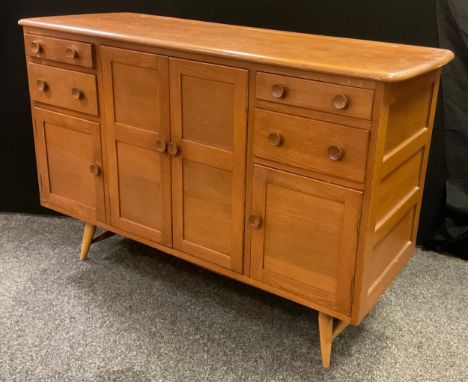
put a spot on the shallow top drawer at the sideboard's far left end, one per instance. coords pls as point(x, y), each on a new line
point(56, 49)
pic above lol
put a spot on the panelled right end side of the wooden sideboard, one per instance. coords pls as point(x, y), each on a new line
point(390, 221)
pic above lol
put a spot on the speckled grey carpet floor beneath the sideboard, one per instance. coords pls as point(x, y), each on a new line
point(131, 313)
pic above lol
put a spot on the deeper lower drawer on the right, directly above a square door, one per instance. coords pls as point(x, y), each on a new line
point(323, 147)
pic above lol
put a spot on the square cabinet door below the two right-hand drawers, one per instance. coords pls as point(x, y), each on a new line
point(304, 235)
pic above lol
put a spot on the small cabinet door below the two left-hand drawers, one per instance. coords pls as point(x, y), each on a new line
point(68, 152)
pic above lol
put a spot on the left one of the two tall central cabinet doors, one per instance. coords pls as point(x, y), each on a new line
point(136, 120)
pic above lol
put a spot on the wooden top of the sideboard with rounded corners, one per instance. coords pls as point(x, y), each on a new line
point(340, 56)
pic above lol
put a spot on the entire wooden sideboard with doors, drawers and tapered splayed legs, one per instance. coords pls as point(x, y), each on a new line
point(291, 162)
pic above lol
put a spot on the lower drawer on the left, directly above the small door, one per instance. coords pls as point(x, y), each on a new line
point(63, 88)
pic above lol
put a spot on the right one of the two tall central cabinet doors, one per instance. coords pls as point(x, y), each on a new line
point(208, 124)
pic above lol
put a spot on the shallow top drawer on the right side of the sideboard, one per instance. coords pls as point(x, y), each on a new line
point(315, 95)
